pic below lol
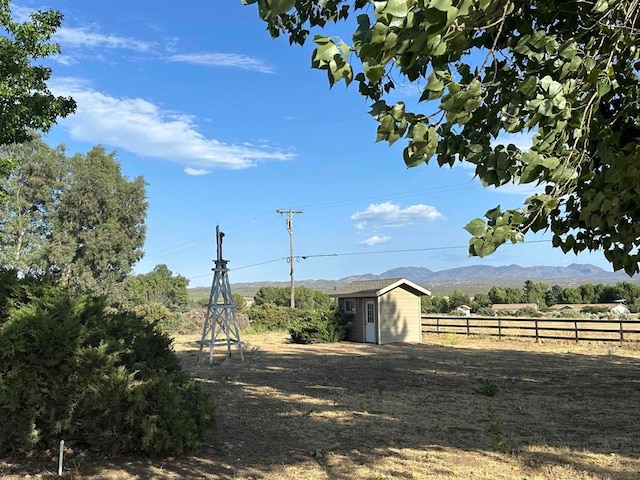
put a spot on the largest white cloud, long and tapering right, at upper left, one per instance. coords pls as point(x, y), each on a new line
point(144, 128)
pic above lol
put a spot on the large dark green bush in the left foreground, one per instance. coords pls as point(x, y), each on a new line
point(109, 382)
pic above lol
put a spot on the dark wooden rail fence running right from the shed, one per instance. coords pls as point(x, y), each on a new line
point(536, 328)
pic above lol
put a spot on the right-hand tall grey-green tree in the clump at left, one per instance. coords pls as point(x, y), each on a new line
point(98, 230)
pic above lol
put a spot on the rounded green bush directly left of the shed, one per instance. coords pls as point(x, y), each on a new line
point(318, 326)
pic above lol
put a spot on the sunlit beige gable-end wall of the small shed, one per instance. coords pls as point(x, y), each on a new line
point(400, 319)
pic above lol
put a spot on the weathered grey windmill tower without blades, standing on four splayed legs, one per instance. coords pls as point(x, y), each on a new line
point(220, 323)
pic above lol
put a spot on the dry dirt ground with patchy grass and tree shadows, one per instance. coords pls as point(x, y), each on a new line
point(353, 411)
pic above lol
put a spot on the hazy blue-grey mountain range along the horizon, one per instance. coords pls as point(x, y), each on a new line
point(473, 279)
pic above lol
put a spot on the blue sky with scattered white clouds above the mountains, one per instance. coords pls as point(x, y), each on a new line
point(227, 126)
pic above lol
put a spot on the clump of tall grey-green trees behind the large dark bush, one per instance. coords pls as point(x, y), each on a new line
point(78, 220)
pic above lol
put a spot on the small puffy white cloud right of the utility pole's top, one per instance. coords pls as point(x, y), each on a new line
point(389, 214)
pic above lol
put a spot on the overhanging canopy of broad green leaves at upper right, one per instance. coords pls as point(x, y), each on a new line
point(565, 71)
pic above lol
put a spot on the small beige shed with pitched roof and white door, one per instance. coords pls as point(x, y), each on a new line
point(382, 311)
